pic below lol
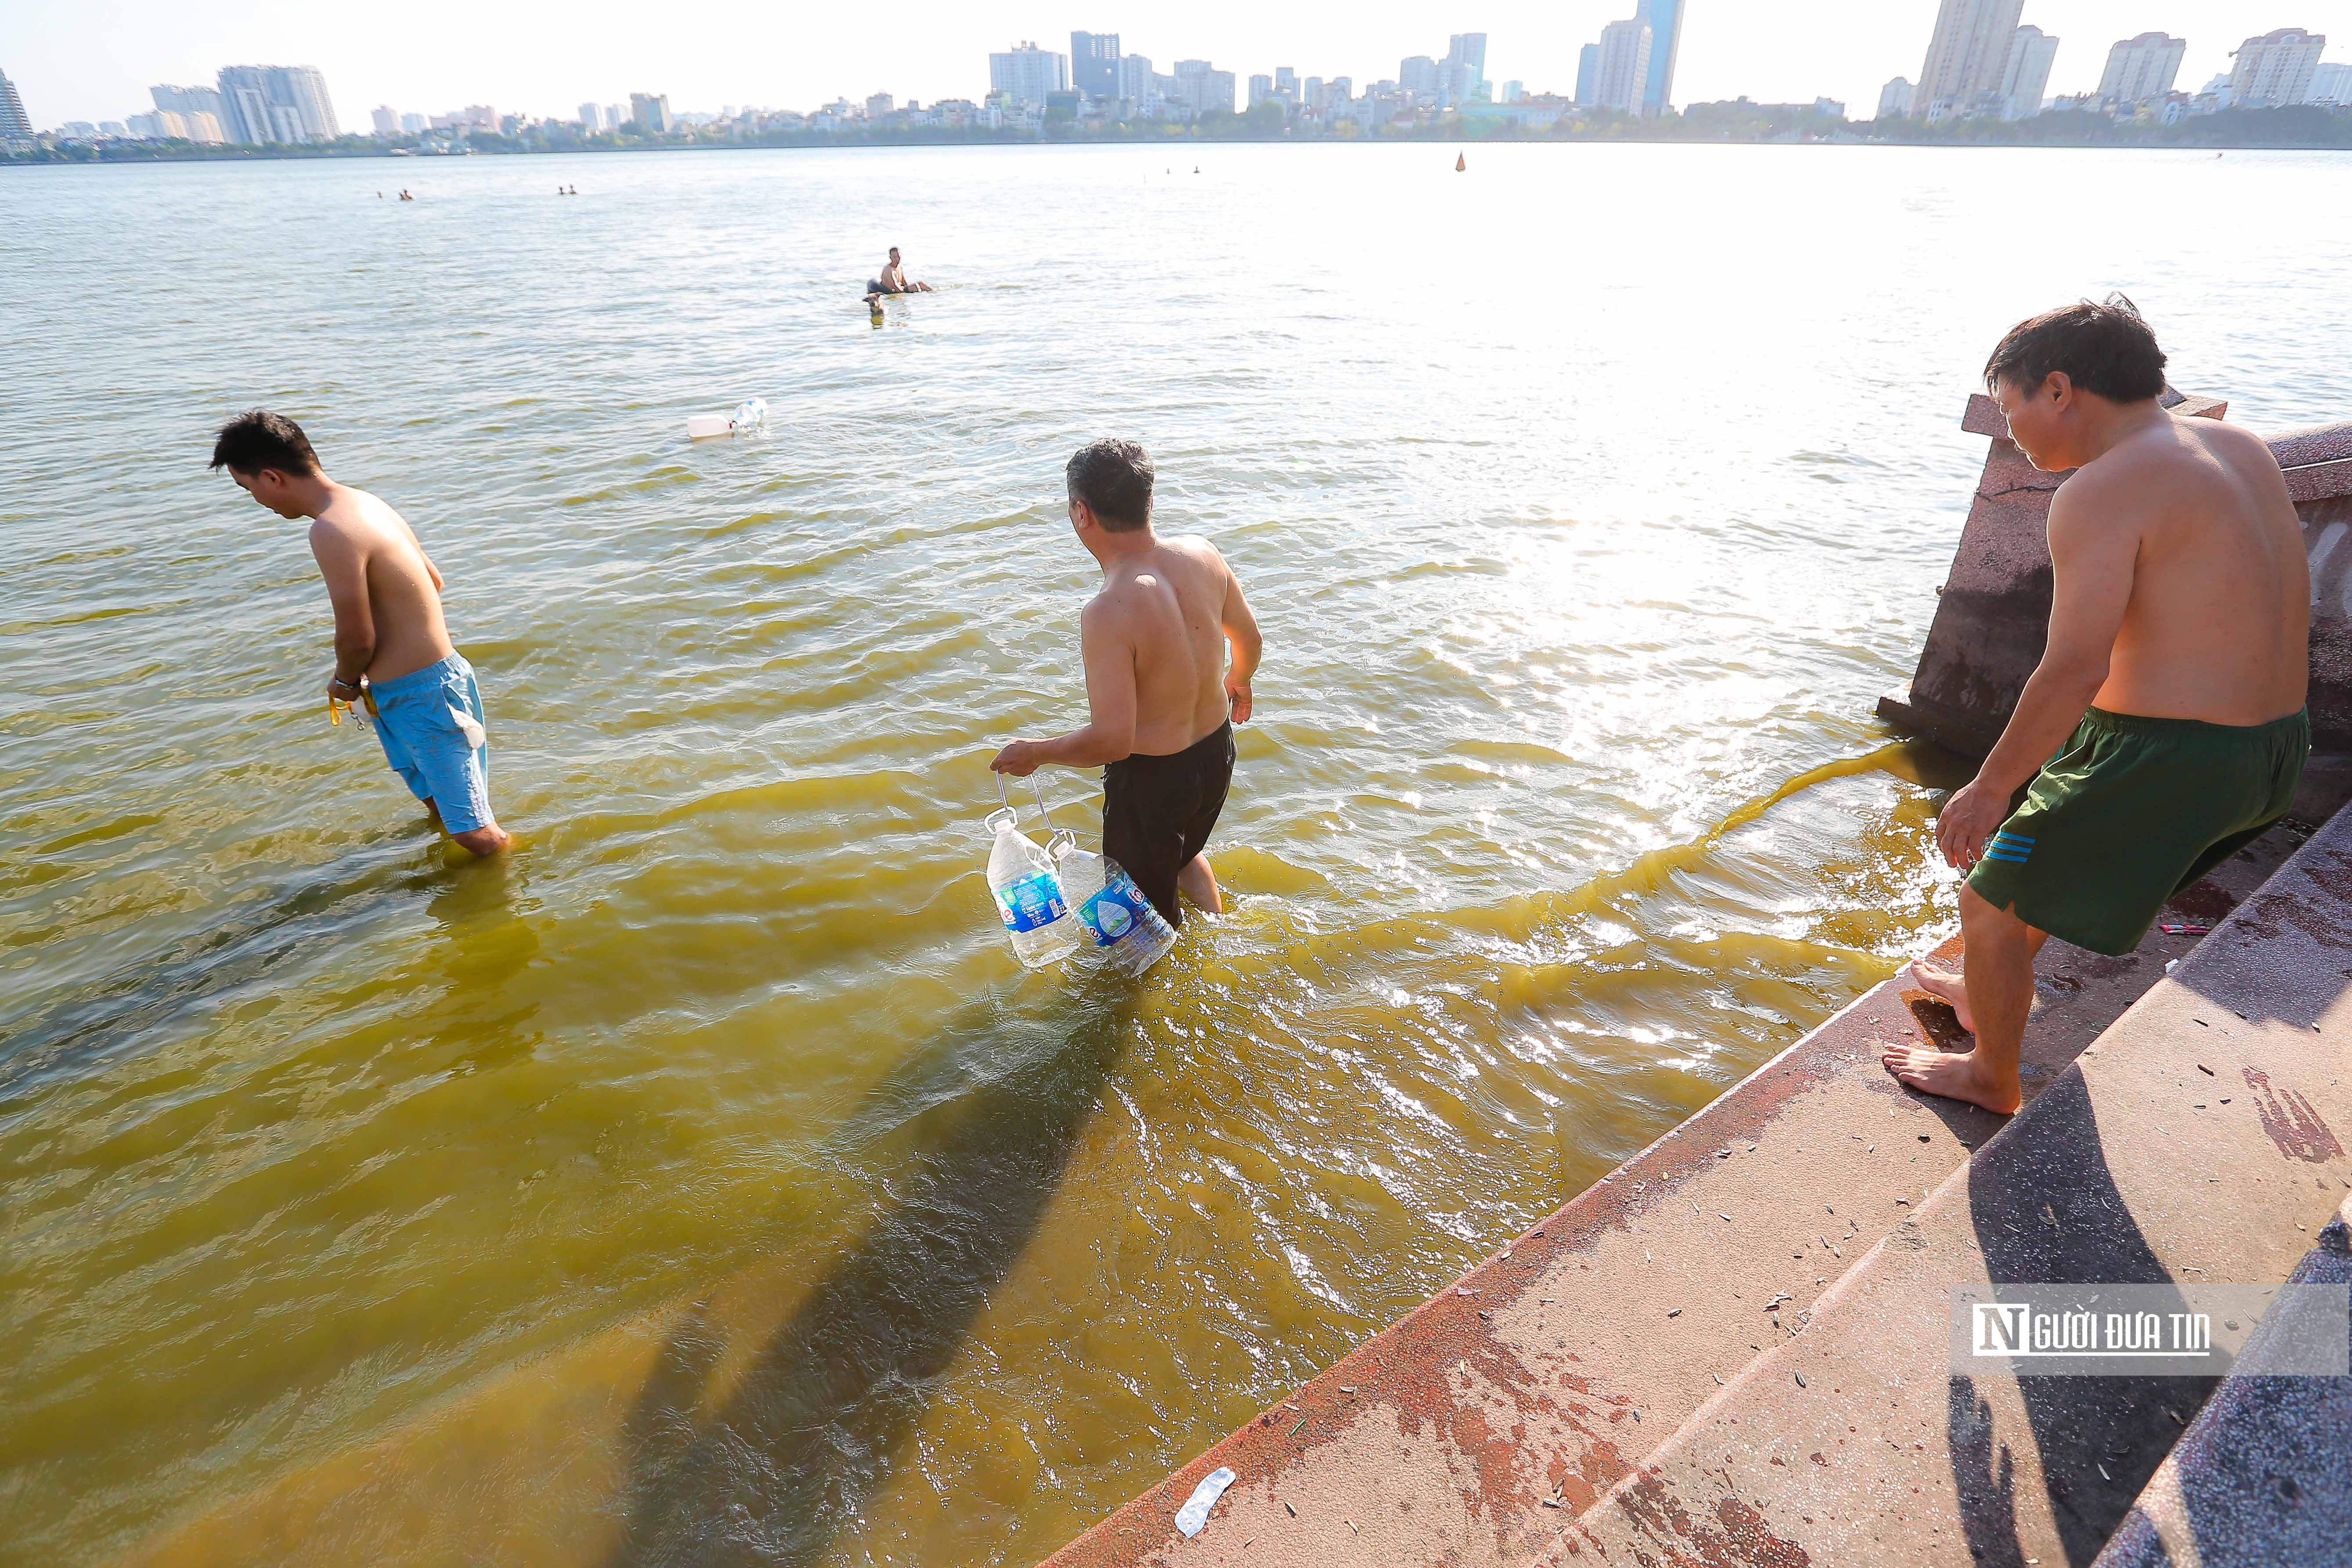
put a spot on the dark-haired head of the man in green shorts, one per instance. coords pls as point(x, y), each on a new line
point(2062, 366)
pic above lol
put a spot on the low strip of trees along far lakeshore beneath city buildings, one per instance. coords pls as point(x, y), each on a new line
point(2306, 128)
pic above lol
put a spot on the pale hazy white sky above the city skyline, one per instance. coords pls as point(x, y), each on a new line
point(93, 60)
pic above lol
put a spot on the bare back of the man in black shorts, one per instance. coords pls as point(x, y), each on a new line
point(1168, 612)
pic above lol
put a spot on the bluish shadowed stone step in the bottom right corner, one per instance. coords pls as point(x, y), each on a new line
point(2264, 1475)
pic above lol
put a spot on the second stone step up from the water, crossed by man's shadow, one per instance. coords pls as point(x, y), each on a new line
point(2200, 1139)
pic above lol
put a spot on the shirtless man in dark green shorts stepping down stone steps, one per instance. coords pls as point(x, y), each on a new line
point(2165, 728)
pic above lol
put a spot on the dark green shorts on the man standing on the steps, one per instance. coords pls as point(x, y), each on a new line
point(2130, 812)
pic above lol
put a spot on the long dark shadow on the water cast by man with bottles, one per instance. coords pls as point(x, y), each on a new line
point(787, 1456)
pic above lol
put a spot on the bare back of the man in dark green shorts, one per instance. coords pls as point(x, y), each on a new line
point(2219, 617)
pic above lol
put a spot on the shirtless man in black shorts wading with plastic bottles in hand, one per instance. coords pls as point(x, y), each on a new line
point(1161, 695)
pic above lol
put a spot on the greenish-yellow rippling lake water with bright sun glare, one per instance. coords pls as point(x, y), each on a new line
point(1589, 500)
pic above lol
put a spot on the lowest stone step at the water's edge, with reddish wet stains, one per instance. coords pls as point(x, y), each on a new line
point(1549, 1376)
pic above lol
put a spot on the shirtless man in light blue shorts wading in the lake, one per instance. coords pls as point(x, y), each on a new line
point(392, 648)
